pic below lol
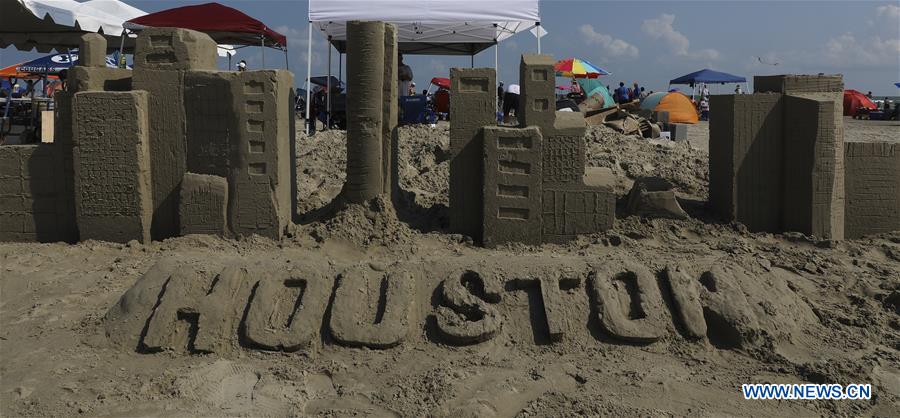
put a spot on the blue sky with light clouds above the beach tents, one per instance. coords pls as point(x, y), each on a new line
point(646, 41)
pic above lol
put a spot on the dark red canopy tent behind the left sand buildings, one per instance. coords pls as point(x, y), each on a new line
point(223, 24)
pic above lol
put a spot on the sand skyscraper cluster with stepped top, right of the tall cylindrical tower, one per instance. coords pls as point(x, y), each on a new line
point(520, 184)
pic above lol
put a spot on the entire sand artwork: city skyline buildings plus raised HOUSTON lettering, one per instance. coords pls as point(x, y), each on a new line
point(176, 147)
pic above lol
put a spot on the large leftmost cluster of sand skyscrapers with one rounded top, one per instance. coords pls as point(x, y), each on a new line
point(172, 147)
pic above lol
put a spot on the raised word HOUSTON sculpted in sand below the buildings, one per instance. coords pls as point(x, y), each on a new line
point(299, 306)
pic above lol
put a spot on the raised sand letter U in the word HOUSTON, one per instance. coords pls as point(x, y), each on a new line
point(352, 320)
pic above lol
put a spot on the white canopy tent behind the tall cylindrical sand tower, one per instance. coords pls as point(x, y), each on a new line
point(428, 27)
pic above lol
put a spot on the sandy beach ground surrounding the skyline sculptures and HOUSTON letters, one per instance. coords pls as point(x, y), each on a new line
point(827, 311)
